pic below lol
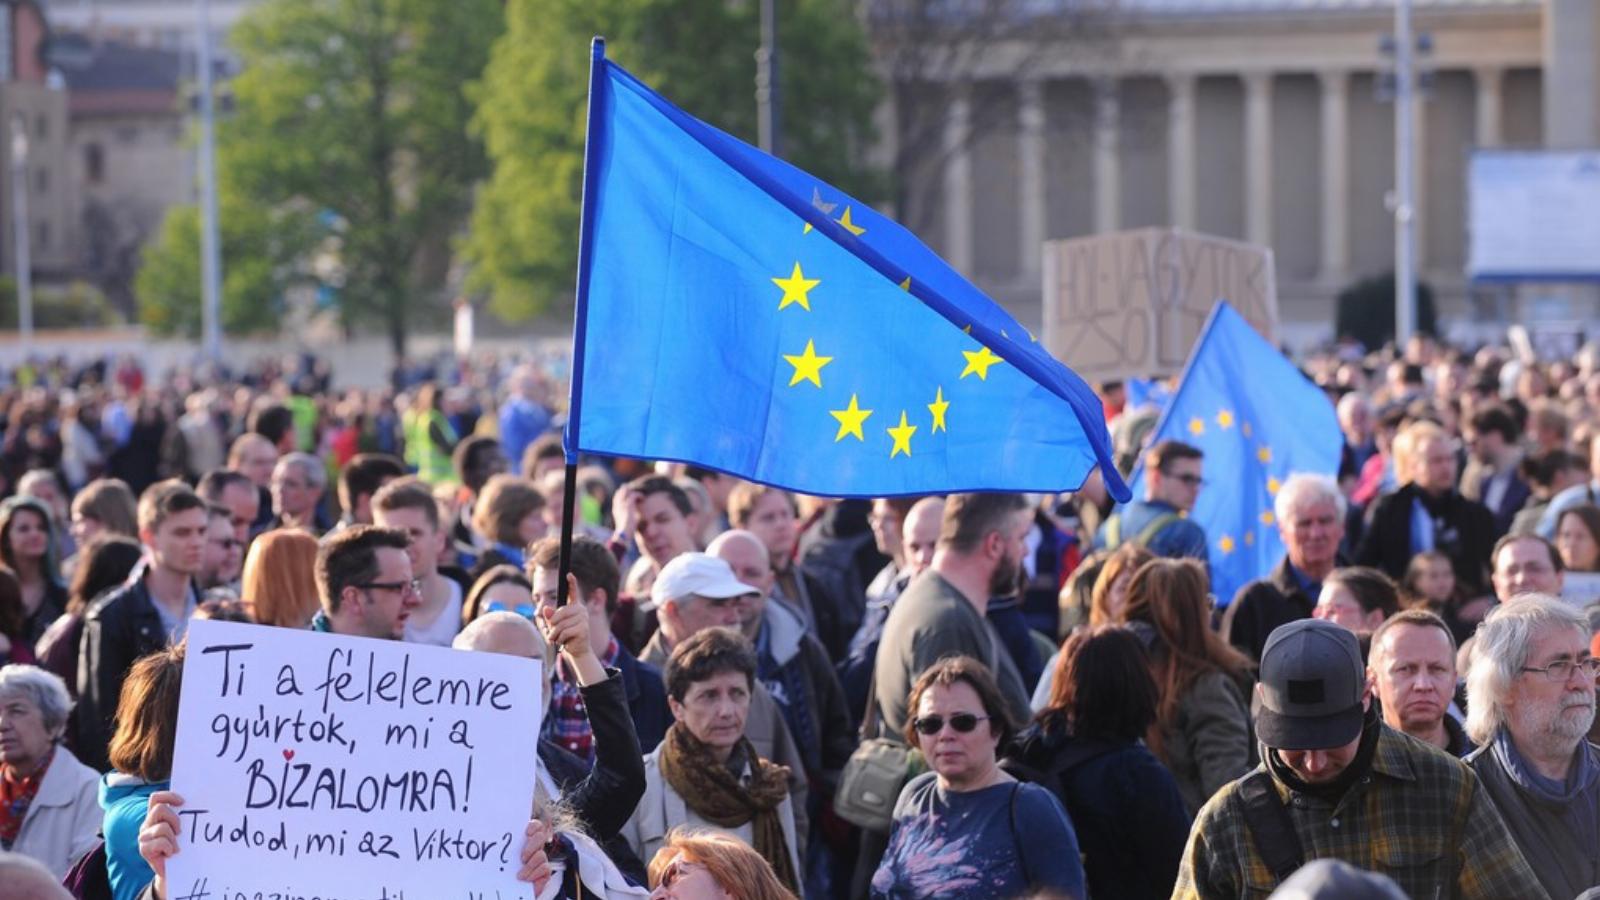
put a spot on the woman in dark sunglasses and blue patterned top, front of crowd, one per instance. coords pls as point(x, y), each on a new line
point(967, 829)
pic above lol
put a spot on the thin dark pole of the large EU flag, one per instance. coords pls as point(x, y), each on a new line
point(586, 228)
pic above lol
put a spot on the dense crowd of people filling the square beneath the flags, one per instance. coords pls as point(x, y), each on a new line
point(759, 696)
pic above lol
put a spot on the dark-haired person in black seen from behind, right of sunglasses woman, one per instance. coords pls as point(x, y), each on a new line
point(1086, 747)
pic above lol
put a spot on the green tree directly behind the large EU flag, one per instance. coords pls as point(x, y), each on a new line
point(698, 54)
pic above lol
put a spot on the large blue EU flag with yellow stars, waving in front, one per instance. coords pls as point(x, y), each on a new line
point(748, 318)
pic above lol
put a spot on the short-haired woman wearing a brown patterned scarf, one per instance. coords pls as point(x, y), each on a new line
point(706, 774)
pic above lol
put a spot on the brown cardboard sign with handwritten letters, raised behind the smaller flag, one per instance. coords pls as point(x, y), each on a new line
point(1132, 305)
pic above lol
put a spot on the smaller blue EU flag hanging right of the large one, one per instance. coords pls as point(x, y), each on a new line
point(1257, 420)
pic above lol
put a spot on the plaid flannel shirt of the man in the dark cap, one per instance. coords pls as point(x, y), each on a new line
point(1418, 818)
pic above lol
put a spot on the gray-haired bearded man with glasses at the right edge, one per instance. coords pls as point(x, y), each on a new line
point(1532, 699)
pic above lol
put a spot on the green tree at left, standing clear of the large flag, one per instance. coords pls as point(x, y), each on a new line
point(350, 139)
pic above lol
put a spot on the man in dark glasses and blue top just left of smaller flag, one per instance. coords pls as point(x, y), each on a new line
point(1172, 484)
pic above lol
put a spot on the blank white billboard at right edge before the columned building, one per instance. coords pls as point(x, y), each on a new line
point(1535, 215)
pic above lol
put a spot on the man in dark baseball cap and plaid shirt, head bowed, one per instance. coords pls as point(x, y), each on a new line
point(1335, 782)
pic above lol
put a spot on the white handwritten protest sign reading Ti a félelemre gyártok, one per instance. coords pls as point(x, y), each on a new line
point(351, 769)
